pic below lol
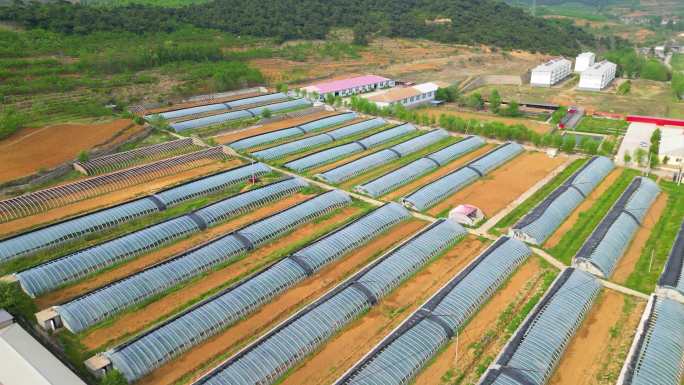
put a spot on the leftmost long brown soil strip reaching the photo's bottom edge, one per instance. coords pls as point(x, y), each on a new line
point(240, 334)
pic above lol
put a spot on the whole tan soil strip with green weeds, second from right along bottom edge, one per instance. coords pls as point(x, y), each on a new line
point(486, 333)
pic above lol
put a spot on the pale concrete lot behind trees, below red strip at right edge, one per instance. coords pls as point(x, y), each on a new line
point(639, 136)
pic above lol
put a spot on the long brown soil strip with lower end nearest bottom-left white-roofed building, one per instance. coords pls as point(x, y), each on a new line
point(135, 321)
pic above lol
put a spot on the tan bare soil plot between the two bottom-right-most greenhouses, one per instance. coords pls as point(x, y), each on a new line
point(598, 349)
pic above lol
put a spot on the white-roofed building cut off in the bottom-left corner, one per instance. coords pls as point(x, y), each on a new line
point(24, 361)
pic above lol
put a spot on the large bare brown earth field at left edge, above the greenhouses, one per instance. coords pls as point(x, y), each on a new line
point(33, 149)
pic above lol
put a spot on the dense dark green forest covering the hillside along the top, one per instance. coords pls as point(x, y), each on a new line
point(472, 22)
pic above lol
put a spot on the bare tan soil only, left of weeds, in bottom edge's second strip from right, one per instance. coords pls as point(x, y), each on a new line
point(459, 357)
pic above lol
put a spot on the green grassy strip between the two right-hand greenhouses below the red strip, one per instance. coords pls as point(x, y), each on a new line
point(587, 221)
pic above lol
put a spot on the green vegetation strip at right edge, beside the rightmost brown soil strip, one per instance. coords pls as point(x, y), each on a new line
point(654, 254)
